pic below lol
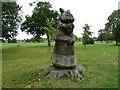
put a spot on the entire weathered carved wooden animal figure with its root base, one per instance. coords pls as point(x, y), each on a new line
point(63, 59)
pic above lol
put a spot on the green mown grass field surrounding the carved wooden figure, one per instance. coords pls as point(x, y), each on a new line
point(23, 66)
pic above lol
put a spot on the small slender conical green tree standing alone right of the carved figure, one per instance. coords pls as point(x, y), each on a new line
point(86, 34)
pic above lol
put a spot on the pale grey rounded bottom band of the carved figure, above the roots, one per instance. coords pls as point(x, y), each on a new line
point(63, 61)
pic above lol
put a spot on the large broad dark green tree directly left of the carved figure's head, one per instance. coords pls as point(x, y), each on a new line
point(39, 23)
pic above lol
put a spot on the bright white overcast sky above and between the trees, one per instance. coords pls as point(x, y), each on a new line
point(92, 12)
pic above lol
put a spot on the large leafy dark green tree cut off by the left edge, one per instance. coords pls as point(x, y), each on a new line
point(11, 19)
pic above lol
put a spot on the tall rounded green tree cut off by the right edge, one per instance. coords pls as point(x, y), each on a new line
point(114, 25)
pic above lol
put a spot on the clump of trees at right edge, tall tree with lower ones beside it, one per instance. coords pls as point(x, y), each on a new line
point(112, 28)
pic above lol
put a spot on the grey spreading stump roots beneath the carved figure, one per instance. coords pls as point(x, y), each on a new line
point(54, 73)
